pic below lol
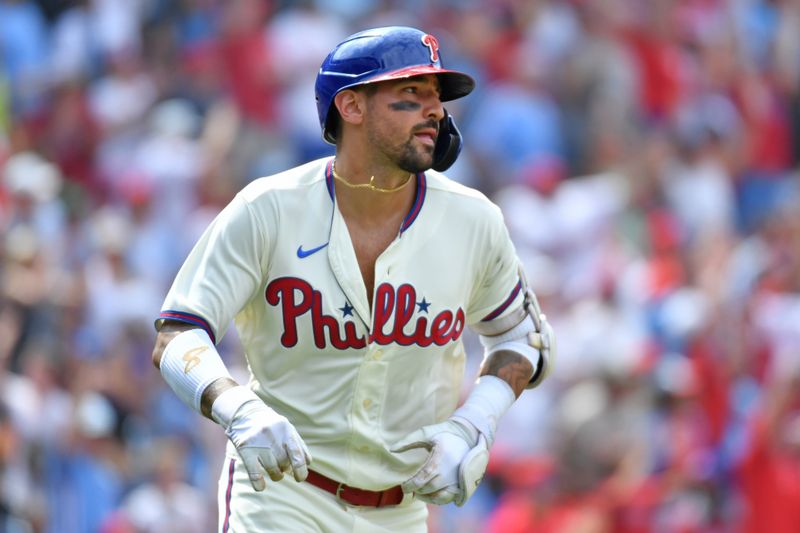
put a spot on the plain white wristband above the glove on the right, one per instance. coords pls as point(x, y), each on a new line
point(489, 400)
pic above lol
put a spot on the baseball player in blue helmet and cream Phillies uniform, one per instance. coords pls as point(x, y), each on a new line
point(350, 281)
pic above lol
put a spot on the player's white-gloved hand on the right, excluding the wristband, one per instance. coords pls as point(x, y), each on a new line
point(456, 464)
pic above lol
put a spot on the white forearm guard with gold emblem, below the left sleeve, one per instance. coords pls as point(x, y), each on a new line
point(189, 364)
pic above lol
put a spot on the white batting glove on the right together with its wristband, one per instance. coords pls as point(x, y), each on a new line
point(459, 446)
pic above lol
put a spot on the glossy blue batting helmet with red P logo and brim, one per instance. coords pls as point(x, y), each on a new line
point(377, 55)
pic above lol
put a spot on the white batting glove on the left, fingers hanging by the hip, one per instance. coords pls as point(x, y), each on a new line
point(264, 439)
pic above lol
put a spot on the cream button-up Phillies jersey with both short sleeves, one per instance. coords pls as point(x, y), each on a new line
point(278, 262)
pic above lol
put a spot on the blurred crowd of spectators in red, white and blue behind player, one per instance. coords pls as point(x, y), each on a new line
point(645, 154)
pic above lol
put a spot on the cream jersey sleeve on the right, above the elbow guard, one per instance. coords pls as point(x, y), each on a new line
point(497, 297)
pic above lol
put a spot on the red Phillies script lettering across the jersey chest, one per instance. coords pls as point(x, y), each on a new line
point(394, 311)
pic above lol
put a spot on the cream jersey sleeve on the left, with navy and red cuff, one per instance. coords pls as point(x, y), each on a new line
point(222, 272)
